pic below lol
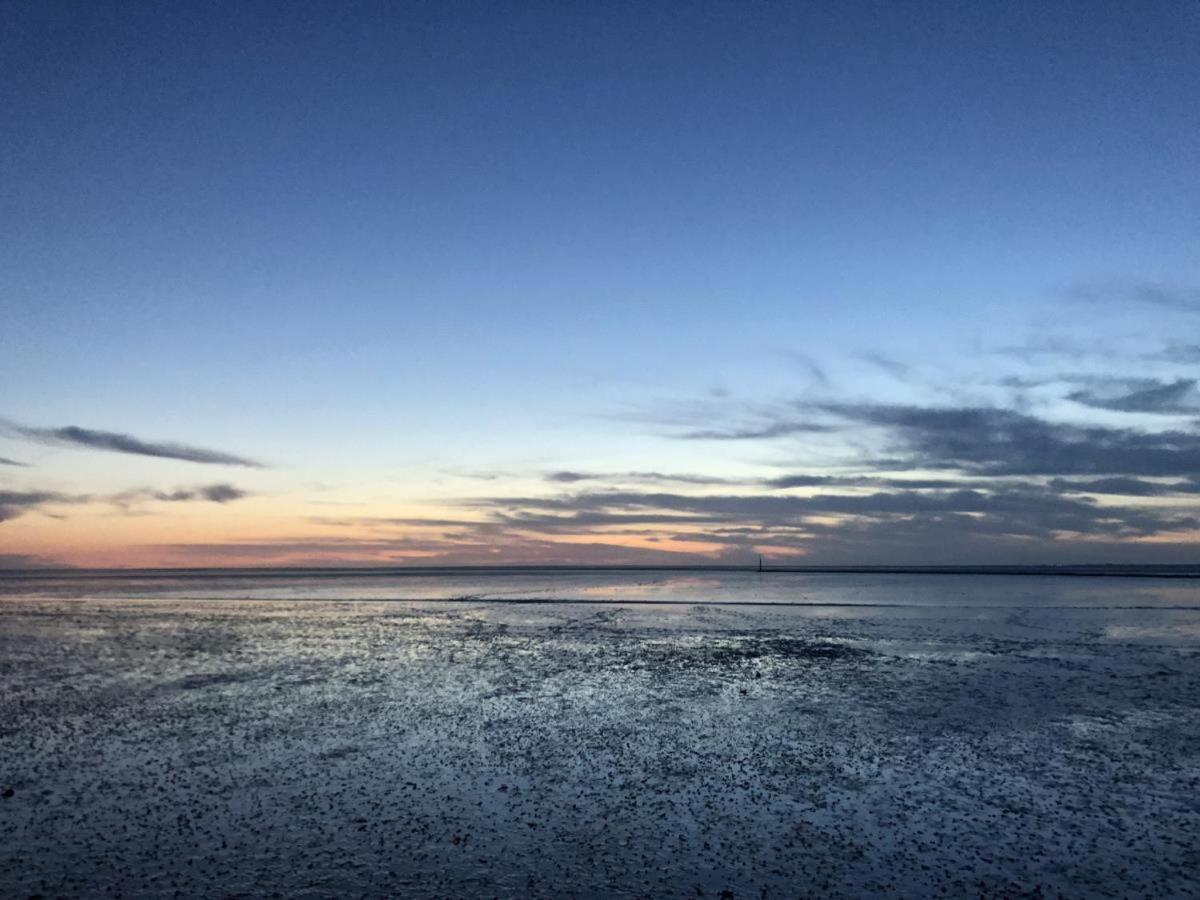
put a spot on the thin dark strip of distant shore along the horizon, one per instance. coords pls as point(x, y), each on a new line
point(1101, 571)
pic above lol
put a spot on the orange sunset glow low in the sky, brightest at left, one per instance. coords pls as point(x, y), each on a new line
point(277, 530)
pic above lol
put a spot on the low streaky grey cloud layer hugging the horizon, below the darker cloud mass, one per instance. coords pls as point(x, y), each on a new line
point(915, 520)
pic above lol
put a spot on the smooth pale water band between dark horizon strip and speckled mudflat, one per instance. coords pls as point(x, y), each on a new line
point(621, 586)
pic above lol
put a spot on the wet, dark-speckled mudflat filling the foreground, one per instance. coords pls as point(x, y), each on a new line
point(479, 749)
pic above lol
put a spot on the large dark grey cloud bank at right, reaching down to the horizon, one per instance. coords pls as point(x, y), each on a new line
point(1017, 488)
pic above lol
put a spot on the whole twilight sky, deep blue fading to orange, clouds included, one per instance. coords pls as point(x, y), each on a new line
point(599, 284)
